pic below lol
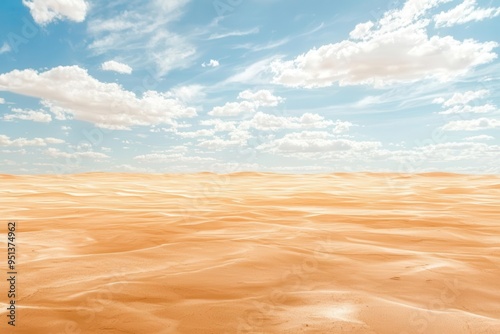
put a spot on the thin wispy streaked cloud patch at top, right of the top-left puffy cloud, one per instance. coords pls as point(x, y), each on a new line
point(142, 32)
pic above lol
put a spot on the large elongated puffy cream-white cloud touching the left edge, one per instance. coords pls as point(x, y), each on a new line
point(72, 91)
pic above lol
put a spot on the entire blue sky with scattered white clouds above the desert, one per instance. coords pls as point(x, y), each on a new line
point(235, 85)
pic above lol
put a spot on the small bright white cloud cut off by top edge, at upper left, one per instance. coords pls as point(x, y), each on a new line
point(47, 11)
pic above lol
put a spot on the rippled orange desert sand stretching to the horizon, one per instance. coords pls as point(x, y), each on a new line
point(254, 253)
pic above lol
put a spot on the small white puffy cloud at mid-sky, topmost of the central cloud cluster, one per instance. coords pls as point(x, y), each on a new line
point(252, 101)
